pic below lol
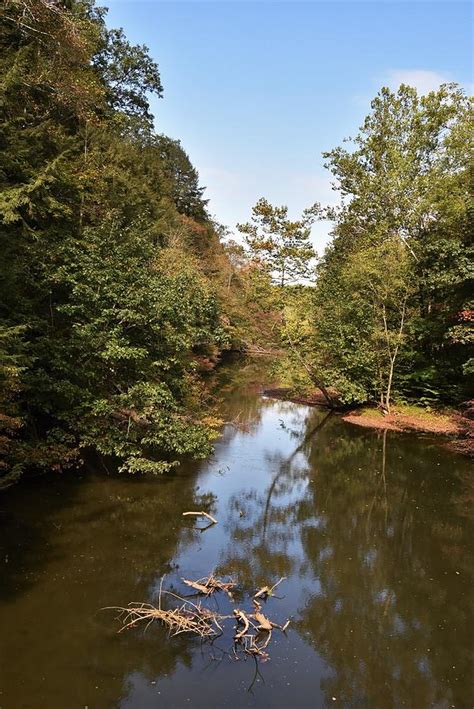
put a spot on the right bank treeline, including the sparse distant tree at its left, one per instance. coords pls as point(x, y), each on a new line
point(390, 314)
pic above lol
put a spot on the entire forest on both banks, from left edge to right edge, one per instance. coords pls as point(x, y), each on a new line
point(119, 290)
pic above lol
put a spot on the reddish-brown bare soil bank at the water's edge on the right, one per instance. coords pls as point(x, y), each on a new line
point(457, 425)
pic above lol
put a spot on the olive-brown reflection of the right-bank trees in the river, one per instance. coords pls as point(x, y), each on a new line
point(383, 591)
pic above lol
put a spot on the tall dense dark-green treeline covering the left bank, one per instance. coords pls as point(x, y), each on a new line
point(113, 276)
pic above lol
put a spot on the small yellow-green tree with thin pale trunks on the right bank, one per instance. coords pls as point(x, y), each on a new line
point(359, 339)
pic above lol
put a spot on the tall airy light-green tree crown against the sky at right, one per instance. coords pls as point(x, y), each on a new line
point(389, 180)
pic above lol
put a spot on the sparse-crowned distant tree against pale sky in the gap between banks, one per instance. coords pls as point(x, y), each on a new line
point(282, 245)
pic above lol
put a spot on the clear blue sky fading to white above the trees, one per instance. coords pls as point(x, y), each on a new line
point(256, 91)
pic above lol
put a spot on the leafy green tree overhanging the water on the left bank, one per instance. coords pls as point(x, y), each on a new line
point(119, 346)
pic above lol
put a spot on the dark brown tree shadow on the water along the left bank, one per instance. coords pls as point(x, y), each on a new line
point(71, 546)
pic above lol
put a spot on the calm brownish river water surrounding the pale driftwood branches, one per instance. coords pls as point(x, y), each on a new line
point(372, 532)
